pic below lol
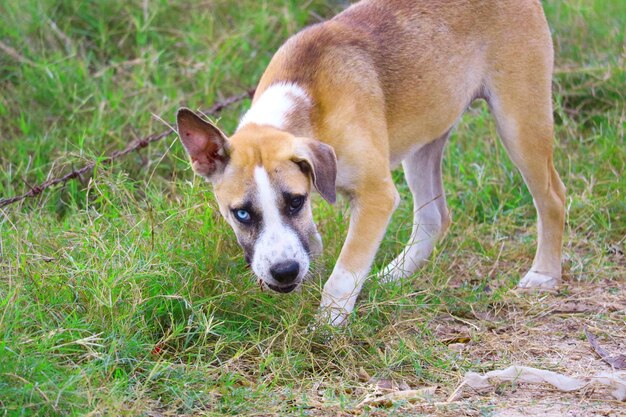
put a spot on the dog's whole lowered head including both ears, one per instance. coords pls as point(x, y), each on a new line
point(262, 179)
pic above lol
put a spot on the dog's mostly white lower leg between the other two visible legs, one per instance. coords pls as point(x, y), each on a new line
point(422, 170)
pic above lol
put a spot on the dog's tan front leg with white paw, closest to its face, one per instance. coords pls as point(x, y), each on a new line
point(370, 211)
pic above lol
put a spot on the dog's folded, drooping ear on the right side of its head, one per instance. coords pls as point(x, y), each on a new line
point(319, 160)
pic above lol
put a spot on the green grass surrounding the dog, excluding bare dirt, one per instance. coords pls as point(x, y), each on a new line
point(124, 293)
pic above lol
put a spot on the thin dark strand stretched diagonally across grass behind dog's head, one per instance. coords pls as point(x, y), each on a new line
point(135, 145)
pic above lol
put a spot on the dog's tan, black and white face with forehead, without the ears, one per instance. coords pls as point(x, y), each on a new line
point(264, 193)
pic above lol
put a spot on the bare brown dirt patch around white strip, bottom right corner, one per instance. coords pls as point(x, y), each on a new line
point(543, 330)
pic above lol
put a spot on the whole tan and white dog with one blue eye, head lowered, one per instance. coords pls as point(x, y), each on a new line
point(344, 102)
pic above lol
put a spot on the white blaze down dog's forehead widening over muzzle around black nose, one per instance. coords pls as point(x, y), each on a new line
point(276, 243)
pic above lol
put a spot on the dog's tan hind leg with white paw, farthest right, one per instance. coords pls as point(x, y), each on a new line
point(519, 94)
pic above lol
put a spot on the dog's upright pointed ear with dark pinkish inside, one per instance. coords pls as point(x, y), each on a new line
point(205, 144)
